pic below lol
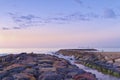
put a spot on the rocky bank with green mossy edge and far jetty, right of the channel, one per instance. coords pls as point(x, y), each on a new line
point(105, 62)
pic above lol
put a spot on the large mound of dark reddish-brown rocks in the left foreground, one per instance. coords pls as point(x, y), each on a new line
point(40, 67)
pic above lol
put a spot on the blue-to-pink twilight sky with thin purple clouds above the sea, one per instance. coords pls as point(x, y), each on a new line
point(59, 23)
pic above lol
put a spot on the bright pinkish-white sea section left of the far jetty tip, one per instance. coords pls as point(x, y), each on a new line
point(28, 50)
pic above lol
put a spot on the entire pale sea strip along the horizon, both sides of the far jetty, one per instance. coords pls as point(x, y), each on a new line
point(47, 50)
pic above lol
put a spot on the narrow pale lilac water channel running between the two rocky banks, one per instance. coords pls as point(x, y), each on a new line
point(99, 75)
